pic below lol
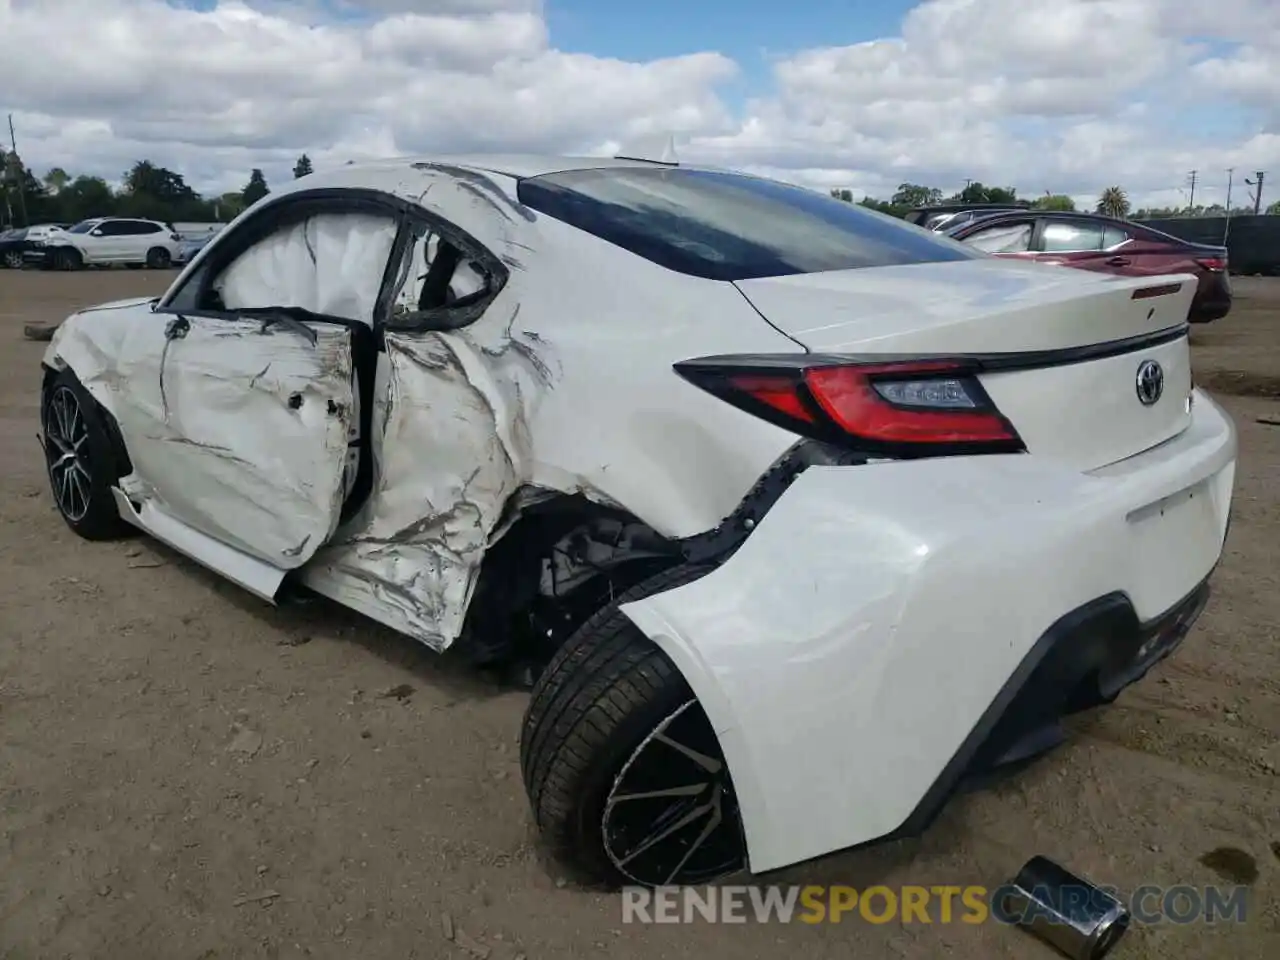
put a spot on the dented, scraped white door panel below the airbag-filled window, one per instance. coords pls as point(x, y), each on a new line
point(259, 417)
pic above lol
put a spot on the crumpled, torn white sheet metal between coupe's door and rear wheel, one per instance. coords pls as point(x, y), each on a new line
point(452, 449)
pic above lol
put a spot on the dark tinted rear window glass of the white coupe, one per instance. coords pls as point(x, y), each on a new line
point(732, 227)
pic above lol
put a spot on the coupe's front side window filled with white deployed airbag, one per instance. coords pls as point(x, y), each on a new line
point(330, 264)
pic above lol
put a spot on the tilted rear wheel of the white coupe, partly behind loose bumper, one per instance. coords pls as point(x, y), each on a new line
point(592, 734)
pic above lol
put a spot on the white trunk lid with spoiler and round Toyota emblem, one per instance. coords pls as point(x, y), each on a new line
point(1073, 397)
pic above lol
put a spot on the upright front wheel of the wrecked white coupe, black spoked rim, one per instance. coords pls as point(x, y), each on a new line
point(81, 460)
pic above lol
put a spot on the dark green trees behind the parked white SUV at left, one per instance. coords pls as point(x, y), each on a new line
point(147, 191)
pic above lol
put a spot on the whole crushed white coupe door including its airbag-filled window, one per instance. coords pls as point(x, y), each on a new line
point(250, 431)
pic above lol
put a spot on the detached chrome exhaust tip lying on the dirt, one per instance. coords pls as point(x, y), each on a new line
point(1078, 918)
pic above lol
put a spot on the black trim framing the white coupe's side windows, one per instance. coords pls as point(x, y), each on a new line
point(228, 245)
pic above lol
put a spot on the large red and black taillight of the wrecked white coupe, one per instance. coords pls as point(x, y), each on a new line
point(894, 409)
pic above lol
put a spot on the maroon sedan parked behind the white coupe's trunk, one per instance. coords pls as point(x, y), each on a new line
point(1092, 243)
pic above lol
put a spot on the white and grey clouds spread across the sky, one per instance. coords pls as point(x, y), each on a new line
point(1062, 95)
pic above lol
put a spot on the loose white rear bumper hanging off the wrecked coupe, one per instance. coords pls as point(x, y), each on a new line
point(889, 629)
